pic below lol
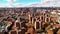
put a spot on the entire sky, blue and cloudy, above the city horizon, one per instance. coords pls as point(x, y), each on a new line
point(29, 3)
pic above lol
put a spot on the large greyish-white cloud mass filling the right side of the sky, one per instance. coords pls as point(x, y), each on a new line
point(46, 3)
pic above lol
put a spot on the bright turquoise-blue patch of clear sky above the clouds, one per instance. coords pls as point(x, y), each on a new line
point(18, 1)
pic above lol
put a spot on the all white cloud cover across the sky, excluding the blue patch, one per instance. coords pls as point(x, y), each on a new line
point(43, 3)
